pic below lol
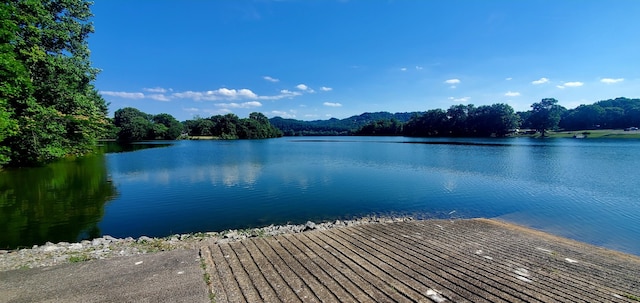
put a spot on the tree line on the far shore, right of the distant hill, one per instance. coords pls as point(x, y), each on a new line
point(500, 119)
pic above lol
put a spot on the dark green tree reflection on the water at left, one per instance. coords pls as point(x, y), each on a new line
point(63, 201)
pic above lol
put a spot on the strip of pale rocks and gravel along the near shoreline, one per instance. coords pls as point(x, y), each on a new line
point(105, 247)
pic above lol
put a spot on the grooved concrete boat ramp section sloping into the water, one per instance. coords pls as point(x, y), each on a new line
point(475, 260)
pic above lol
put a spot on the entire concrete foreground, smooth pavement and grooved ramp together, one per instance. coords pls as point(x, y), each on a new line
point(475, 260)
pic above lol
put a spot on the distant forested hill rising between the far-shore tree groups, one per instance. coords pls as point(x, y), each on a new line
point(333, 126)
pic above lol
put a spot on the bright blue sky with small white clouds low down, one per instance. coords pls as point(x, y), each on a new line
point(312, 60)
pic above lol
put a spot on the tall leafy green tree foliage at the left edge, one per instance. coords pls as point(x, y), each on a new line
point(50, 107)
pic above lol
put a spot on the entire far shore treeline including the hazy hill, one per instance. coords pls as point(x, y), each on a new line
point(497, 120)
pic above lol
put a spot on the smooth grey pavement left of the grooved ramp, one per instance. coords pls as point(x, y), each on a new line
point(173, 276)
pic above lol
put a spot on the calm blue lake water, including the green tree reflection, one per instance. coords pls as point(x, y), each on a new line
point(581, 189)
